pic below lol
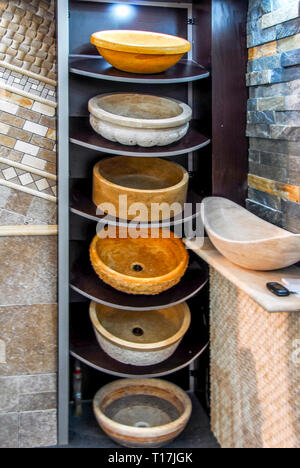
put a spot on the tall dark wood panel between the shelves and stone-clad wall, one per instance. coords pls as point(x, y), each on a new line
point(229, 64)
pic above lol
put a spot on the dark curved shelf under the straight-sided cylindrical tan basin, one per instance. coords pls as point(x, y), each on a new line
point(82, 205)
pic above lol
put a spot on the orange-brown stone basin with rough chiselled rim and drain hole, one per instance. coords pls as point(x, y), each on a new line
point(139, 266)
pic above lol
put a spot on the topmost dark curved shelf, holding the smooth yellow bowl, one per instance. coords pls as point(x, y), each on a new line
point(96, 67)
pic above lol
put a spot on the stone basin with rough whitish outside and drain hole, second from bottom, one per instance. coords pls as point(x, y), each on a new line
point(140, 339)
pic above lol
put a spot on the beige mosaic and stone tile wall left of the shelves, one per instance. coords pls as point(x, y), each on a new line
point(28, 195)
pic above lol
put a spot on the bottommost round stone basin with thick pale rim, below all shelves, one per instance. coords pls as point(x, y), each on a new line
point(142, 413)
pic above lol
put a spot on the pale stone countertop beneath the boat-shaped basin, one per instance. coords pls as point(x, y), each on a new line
point(252, 283)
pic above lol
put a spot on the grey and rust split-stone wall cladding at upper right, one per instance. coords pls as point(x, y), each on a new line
point(274, 111)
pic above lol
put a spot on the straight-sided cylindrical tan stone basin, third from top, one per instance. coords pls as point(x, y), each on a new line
point(142, 180)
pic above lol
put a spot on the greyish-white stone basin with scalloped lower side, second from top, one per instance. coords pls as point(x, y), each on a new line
point(139, 119)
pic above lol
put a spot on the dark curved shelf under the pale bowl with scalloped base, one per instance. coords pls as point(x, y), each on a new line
point(82, 134)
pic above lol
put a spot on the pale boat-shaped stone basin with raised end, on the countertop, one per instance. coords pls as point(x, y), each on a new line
point(247, 240)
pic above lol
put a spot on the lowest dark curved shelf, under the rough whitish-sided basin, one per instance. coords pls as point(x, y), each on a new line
point(85, 348)
